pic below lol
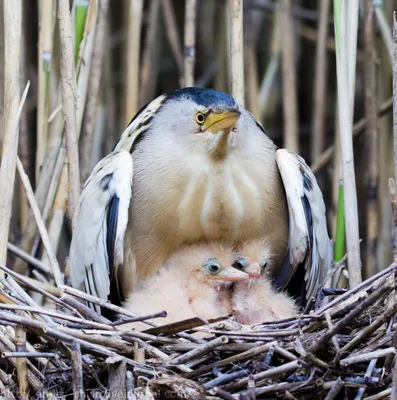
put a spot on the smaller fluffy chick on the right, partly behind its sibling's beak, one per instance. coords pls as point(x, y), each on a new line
point(255, 300)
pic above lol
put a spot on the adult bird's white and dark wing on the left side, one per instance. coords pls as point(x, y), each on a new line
point(97, 243)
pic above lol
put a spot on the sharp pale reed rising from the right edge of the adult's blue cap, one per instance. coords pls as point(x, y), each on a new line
point(236, 50)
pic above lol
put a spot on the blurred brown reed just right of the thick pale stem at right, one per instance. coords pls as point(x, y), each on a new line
point(372, 141)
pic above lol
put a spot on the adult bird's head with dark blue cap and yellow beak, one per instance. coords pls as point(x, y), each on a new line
point(200, 117)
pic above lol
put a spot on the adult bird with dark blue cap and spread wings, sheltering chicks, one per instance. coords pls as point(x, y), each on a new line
point(194, 165)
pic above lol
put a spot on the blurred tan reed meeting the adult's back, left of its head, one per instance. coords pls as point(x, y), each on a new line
point(132, 58)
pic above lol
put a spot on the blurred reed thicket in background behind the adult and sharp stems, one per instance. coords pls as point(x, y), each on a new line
point(128, 52)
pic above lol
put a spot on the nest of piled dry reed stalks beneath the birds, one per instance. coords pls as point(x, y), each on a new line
point(343, 349)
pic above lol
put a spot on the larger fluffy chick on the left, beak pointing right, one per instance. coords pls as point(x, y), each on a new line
point(194, 282)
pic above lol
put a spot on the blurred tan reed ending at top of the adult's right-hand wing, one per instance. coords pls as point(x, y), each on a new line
point(290, 105)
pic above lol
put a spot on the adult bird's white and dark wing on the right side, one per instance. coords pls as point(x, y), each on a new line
point(309, 243)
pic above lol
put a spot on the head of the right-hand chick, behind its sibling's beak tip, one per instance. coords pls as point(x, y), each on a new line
point(253, 258)
